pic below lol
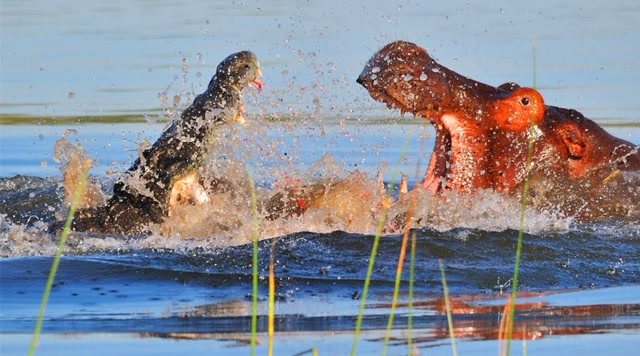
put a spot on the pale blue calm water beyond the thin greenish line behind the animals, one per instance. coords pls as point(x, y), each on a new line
point(64, 58)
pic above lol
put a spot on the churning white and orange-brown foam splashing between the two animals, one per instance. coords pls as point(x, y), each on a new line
point(335, 198)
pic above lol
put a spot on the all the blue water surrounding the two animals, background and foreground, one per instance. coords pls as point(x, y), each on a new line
point(163, 294)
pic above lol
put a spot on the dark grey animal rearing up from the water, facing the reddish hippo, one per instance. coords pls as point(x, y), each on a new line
point(167, 173)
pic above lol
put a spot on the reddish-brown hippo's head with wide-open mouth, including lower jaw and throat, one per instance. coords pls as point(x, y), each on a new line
point(475, 123)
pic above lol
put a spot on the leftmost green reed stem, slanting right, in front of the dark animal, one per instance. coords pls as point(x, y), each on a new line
point(77, 195)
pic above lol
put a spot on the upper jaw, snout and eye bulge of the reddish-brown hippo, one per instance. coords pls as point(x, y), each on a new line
point(405, 77)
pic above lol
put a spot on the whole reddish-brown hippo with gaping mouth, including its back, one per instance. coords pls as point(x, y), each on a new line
point(483, 135)
